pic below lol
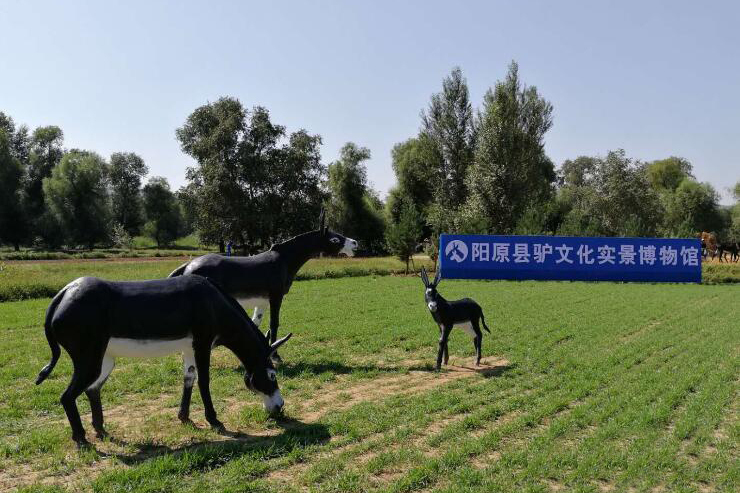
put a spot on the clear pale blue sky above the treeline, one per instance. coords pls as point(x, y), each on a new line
point(654, 78)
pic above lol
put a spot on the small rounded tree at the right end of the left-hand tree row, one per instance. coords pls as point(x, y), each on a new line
point(164, 220)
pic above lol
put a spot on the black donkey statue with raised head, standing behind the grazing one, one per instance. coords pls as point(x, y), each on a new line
point(266, 277)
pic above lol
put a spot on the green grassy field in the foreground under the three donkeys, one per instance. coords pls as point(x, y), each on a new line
point(586, 387)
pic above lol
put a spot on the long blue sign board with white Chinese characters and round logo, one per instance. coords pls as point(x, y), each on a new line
point(570, 258)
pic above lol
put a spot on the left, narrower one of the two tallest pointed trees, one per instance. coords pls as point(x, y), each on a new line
point(449, 125)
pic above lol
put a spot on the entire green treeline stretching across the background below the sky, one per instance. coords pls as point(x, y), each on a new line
point(473, 171)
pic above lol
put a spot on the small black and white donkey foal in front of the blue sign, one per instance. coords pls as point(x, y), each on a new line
point(464, 313)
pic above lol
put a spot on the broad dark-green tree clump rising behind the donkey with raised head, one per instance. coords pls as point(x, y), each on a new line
point(250, 186)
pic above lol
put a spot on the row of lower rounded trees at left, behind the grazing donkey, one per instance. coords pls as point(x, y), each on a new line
point(52, 197)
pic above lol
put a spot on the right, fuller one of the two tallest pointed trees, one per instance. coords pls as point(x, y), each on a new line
point(511, 171)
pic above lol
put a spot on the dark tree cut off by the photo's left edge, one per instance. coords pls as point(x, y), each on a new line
point(13, 223)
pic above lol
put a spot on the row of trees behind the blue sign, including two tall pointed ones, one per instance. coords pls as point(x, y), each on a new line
point(486, 172)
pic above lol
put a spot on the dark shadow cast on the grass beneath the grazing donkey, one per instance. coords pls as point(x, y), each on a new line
point(211, 454)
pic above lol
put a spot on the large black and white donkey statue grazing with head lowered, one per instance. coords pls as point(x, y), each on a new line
point(96, 321)
